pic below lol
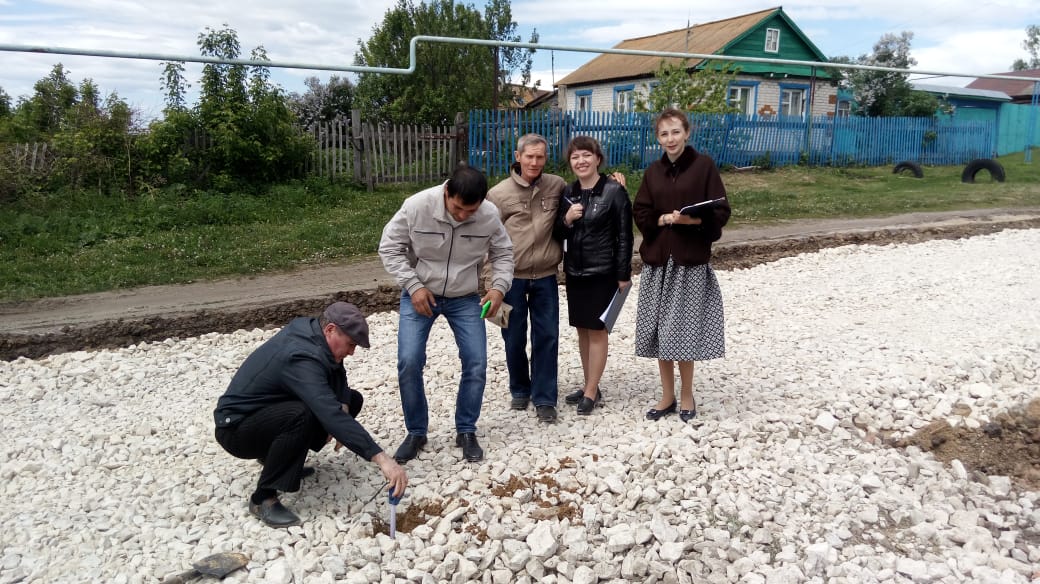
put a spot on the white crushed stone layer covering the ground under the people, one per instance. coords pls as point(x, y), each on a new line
point(110, 472)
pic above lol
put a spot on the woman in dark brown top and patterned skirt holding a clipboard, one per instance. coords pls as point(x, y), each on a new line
point(680, 316)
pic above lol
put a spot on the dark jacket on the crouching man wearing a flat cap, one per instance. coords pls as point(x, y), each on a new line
point(296, 364)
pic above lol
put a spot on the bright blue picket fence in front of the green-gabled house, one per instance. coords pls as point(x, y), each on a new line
point(629, 139)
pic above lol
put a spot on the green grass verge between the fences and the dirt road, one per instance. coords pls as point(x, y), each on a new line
point(58, 245)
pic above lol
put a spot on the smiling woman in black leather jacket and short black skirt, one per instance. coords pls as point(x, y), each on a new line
point(595, 225)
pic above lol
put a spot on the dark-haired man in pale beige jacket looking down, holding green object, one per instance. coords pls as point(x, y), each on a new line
point(434, 247)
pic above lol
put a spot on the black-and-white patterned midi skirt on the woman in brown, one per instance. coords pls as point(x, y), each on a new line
point(680, 316)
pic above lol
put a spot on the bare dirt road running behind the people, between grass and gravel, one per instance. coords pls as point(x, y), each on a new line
point(124, 317)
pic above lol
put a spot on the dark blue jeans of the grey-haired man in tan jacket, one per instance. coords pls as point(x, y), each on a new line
point(536, 380)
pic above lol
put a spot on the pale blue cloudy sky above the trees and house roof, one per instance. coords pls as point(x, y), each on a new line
point(950, 36)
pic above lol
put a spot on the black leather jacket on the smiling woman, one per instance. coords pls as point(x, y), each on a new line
point(600, 244)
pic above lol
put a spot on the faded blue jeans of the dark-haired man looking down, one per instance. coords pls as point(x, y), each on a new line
point(463, 315)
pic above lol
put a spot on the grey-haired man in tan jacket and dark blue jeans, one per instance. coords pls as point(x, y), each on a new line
point(528, 202)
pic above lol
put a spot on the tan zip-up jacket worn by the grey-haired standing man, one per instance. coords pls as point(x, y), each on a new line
point(528, 211)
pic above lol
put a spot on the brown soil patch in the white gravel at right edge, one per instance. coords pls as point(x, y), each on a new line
point(1007, 446)
